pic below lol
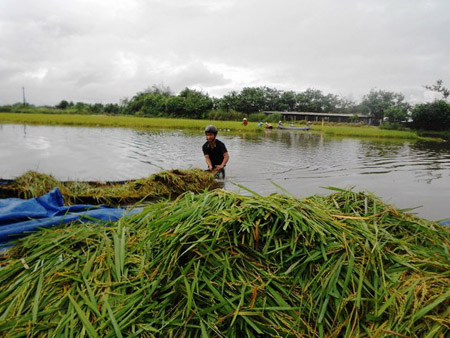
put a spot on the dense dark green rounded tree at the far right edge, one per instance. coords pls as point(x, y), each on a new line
point(432, 116)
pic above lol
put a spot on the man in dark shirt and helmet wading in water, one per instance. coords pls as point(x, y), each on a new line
point(216, 154)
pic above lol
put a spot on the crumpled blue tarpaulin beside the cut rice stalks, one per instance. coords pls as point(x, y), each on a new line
point(18, 216)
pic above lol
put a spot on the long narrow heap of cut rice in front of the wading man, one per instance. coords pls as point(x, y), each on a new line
point(161, 185)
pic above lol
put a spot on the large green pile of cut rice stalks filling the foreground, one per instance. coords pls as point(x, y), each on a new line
point(225, 265)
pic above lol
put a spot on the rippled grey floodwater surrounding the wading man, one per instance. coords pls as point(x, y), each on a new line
point(403, 173)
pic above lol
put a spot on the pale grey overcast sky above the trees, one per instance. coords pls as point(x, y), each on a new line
point(107, 50)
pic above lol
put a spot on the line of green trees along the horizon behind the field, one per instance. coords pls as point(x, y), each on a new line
point(391, 108)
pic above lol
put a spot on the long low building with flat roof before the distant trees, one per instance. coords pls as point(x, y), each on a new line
point(330, 117)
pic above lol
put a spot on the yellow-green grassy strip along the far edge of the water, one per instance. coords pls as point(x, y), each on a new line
point(169, 123)
